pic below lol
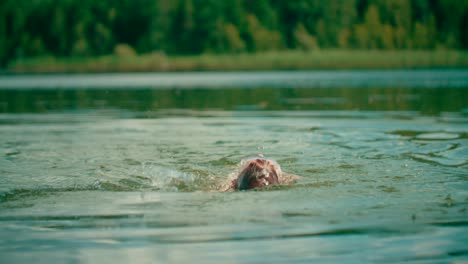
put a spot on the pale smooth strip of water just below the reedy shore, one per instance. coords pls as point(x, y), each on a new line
point(278, 79)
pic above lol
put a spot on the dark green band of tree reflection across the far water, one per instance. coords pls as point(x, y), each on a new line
point(425, 100)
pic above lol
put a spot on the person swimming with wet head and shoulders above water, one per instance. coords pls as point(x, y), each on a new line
point(259, 172)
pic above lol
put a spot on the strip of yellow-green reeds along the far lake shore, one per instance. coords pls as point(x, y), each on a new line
point(284, 60)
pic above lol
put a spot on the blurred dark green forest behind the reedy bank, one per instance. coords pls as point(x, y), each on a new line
point(65, 28)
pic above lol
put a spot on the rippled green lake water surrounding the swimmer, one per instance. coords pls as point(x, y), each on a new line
point(126, 168)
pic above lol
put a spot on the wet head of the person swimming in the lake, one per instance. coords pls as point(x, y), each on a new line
point(258, 172)
